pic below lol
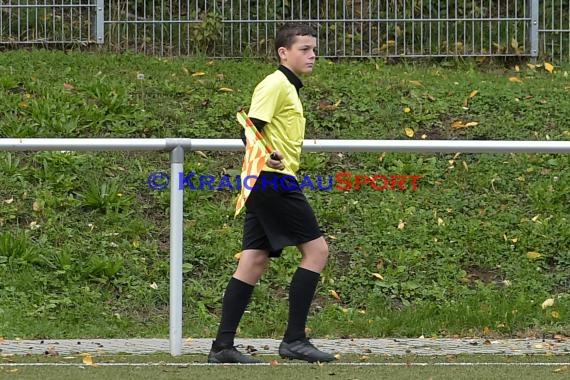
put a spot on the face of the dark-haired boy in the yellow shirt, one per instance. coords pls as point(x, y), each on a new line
point(300, 58)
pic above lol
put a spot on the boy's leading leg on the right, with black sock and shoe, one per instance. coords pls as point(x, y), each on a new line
point(301, 292)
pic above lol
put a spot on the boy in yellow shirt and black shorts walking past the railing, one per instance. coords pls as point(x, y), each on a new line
point(277, 217)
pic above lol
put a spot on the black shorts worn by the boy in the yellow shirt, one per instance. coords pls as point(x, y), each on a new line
point(278, 216)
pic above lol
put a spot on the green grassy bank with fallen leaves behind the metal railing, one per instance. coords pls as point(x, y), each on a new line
point(84, 242)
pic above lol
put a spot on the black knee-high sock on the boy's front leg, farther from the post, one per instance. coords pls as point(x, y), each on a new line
point(301, 292)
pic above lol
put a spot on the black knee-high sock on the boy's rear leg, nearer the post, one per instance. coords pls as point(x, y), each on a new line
point(236, 299)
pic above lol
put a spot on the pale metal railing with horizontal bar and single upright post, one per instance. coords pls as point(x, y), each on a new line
point(177, 147)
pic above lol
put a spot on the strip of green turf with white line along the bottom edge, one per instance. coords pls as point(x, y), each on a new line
point(352, 367)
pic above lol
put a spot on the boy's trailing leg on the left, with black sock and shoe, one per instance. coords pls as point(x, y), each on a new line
point(252, 265)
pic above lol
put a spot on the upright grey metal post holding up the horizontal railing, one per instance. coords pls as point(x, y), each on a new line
point(176, 249)
